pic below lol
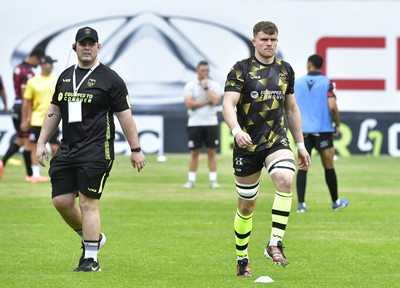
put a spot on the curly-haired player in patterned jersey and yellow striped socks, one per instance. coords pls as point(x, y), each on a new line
point(259, 96)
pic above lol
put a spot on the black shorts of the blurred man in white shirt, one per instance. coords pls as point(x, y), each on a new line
point(199, 135)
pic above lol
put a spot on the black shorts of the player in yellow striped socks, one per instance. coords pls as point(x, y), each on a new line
point(246, 163)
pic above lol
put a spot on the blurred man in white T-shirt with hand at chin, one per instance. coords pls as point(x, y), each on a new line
point(202, 96)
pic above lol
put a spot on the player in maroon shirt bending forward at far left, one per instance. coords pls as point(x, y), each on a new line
point(22, 73)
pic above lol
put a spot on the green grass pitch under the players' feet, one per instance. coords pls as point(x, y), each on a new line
point(161, 235)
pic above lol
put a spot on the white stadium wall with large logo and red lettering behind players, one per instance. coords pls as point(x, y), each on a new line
point(155, 46)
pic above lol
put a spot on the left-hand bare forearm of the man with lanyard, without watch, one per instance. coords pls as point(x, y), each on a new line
point(50, 124)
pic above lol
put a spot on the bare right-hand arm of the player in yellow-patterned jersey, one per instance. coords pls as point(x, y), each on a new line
point(293, 117)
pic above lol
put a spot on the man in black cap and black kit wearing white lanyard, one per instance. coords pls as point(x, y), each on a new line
point(86, 97)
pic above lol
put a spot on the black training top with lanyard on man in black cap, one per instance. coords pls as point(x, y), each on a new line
point(101, 94)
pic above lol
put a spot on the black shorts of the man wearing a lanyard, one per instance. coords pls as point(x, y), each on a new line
point(88, 177)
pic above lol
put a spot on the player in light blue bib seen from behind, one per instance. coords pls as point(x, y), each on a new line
point(316, 96)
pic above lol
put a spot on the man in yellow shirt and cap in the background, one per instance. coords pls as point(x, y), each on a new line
point(37, 96)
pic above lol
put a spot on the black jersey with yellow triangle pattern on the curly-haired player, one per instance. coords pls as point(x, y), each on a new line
point(263, 89)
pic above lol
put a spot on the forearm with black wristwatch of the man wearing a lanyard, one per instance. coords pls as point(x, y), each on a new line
point(129, 129)
